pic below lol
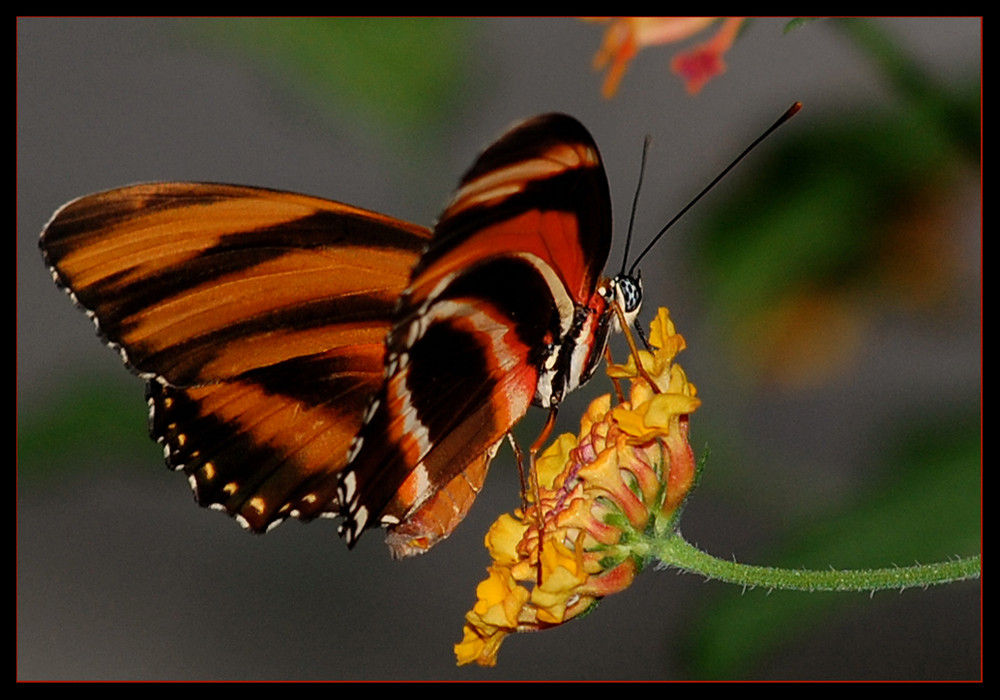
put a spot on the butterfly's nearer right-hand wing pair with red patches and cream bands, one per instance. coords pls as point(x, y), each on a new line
point(509, 275)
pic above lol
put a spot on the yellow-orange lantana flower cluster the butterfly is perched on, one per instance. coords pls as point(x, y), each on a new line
point(596, 501)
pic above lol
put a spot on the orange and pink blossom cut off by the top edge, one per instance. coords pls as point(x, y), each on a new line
point(626, 35)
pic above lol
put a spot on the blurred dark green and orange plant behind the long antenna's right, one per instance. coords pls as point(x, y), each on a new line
point(842, 220)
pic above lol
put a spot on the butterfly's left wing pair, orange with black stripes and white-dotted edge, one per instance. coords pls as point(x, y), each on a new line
point(258, 318)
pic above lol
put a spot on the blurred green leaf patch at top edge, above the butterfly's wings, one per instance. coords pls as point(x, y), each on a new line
point(405, 75)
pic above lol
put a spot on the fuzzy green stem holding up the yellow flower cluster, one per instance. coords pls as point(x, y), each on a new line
point(676, 552)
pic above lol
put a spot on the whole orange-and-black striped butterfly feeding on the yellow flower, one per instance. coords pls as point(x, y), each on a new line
point(306, 358)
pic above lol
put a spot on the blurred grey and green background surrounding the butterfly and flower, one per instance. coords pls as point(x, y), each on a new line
point(841, 410)
